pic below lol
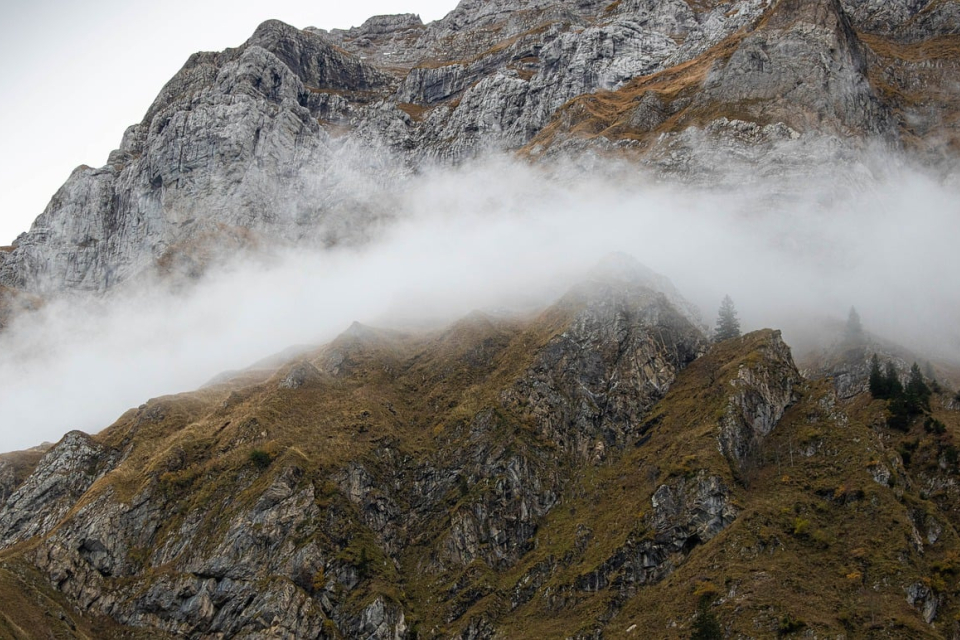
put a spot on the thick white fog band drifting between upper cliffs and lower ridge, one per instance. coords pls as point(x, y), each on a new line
point(496, 234)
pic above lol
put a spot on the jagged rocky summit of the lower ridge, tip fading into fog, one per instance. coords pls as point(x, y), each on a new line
point(610, 366)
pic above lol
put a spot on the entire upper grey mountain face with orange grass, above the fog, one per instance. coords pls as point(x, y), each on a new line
point(301, 135)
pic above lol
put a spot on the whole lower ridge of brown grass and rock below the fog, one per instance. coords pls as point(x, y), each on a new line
point(595, 470)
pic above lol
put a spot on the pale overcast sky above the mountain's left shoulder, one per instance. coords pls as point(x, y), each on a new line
point(75, 75)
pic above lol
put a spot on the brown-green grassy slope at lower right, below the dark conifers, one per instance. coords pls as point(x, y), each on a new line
point(818, 545)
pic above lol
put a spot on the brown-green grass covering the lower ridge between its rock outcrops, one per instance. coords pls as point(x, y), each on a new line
point(818, 541)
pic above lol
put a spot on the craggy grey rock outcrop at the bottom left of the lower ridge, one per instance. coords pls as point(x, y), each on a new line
point(224, 590)
